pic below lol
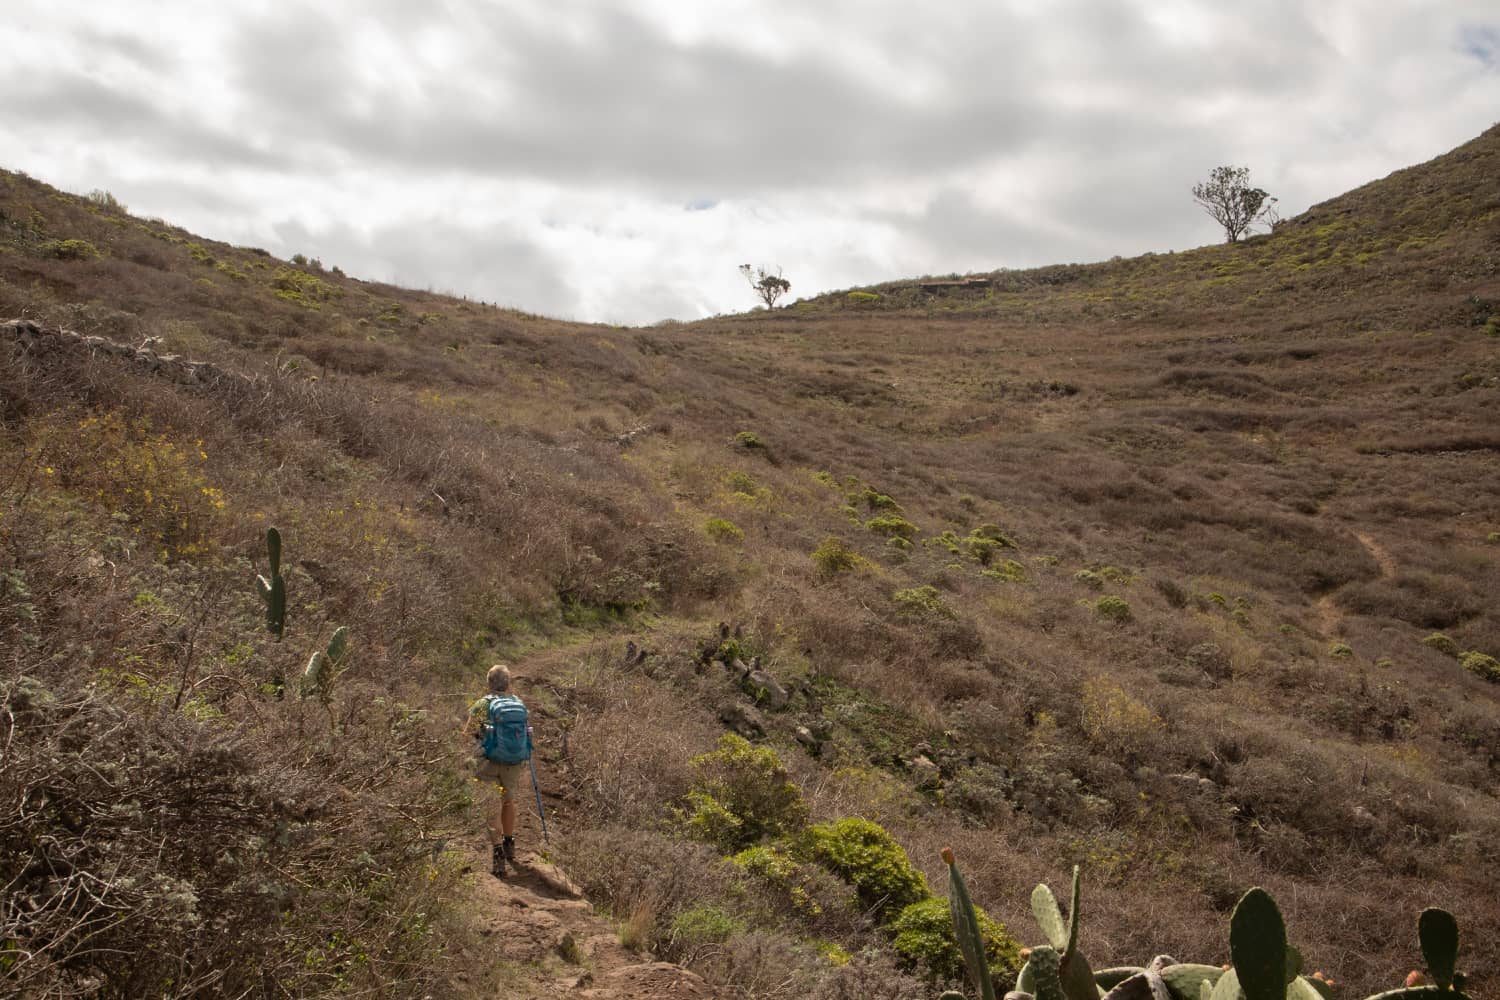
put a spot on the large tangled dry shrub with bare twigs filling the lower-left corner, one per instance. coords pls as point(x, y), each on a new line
point(146, 854)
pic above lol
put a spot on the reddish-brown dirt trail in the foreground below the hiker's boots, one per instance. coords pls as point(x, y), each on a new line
point(529, 920)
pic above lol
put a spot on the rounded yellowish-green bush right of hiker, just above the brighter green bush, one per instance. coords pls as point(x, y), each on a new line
point(740, 795)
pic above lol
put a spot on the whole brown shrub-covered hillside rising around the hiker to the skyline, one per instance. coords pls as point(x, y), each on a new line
point(1178, 567)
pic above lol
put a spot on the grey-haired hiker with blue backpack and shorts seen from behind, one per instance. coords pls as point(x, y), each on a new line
point(502, 752)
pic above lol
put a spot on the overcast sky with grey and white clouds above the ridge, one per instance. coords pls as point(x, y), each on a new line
point(617, 161)
